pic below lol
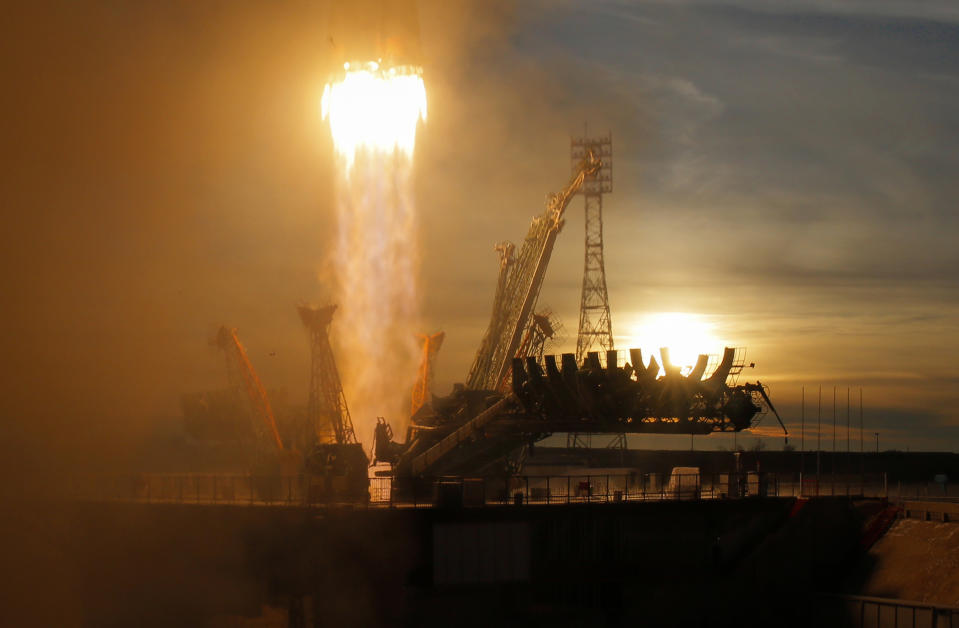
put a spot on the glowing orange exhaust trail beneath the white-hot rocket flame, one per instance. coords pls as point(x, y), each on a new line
point(377, 286)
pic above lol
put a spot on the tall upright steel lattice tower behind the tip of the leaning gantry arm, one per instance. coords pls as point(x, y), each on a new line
point(595, 329)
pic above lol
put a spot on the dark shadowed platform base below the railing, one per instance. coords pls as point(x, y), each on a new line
point(710, 562)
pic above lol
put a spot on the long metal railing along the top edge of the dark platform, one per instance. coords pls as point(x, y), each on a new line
point(467, 491)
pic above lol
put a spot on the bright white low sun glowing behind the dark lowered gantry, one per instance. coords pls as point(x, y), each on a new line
point(686, 336)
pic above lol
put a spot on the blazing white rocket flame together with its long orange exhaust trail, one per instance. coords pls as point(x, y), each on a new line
point(373, 114)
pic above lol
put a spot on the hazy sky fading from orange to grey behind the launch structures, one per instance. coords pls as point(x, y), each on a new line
point(783, 170)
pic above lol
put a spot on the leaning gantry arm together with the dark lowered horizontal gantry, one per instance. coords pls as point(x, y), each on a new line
point(513, 398)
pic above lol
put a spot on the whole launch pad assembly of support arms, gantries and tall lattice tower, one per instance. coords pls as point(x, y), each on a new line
point(515, 394)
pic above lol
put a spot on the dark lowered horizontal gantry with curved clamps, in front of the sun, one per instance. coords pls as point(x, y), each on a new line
point(476, 432)
